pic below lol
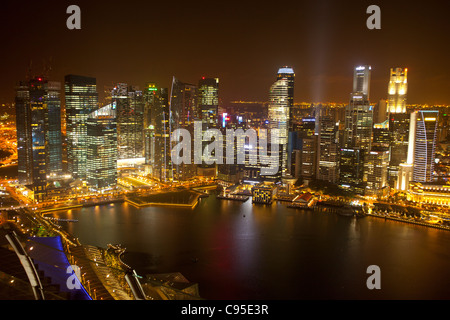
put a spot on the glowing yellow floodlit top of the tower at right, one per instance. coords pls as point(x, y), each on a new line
point(398, 87)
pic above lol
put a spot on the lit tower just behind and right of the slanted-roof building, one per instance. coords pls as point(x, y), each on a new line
point(130, 121)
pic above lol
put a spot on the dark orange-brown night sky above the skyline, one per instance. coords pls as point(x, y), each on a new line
point(241, 42)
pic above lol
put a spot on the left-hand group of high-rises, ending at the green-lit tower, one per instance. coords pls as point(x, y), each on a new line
point(85, 142)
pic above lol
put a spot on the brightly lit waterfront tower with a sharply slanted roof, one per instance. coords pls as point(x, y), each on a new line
point(101, 162)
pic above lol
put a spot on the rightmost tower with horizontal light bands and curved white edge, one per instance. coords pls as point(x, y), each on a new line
point(425, 145)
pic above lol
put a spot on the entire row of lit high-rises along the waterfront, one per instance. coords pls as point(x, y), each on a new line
point(364, 147)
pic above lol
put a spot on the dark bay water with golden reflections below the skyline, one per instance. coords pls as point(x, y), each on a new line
point(247, 251)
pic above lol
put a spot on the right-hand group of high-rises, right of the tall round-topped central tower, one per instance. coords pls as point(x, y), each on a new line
point(367, 148)
